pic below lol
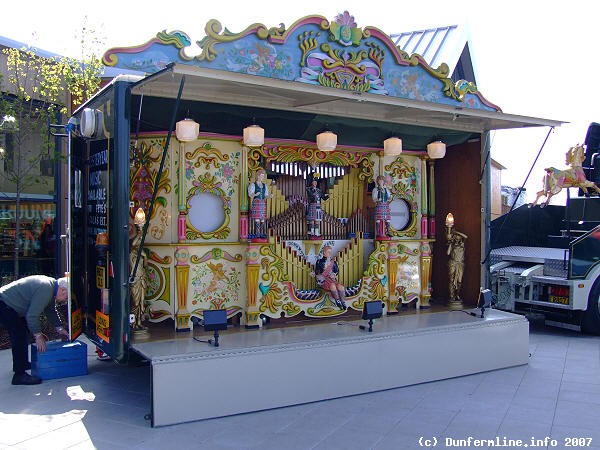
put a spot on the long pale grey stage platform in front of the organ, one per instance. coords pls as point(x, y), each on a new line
point(270, 368)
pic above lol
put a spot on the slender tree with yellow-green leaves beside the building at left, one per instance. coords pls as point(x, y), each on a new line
point(39, 91)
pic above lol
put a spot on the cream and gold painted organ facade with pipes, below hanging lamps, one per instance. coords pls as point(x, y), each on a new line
point(200, 256)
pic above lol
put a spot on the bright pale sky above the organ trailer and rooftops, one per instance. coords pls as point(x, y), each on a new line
point(532, 57)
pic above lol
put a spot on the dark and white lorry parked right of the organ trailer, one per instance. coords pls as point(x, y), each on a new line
point(559, 277)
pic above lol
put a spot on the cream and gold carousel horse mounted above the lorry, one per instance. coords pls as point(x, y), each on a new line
point(555, 180)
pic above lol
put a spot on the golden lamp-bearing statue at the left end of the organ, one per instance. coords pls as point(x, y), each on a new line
point(139, 279)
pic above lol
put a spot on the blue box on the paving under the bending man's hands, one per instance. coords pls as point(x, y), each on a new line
point(60, 360)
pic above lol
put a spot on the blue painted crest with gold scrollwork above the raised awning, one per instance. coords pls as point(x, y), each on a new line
point(335, 54)
